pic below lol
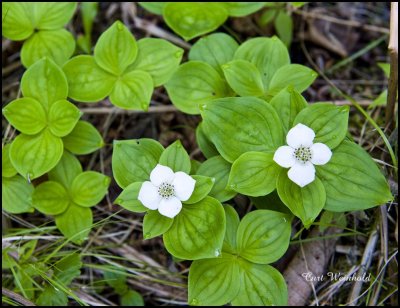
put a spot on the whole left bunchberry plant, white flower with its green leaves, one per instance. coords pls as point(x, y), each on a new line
point(159, 181)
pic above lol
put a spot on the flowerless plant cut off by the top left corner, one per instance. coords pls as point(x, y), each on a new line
point(41, 26)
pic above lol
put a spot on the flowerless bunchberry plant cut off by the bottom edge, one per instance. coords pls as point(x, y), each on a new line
point(241, 275)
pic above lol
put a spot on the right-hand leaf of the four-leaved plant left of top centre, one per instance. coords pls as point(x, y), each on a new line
point(157, 57)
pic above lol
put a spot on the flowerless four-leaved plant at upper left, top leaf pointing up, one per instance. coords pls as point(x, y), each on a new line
point(123, 69)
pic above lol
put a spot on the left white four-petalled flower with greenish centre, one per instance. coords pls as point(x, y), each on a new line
point(166, 190)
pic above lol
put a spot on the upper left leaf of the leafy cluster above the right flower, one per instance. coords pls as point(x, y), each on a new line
point(215, 49)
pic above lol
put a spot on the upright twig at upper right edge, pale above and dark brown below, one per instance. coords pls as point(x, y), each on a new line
point(394, 55)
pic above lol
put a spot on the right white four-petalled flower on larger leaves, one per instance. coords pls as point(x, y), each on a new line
point(301, 155)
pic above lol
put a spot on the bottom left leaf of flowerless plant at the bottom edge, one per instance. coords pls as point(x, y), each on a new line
point(214, 282)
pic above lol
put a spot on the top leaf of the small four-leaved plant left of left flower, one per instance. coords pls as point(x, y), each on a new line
point(67, 169)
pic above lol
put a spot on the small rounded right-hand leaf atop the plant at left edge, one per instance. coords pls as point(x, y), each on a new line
point(63, 117)
